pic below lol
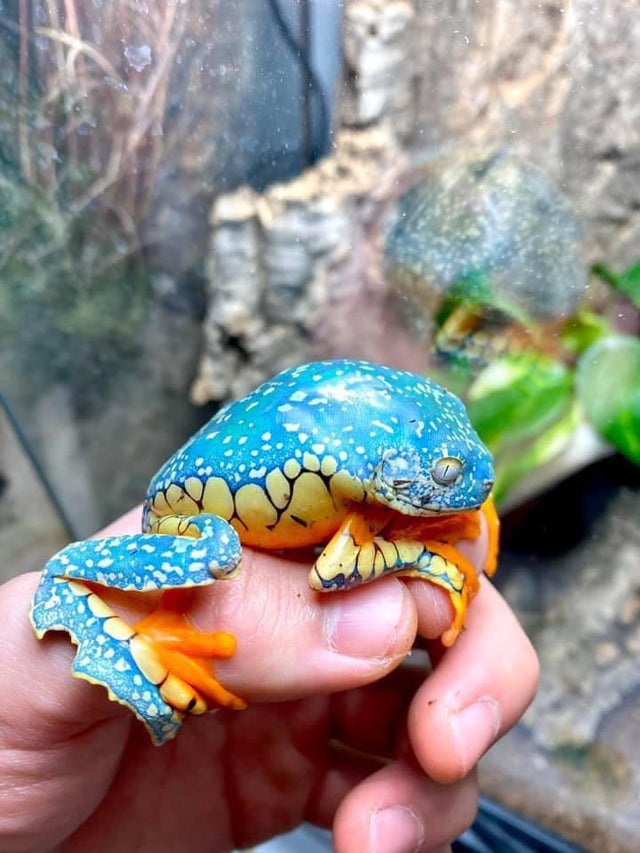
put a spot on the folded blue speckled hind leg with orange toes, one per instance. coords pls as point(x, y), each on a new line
point(158, 667)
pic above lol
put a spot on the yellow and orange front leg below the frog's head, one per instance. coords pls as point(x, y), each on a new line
point(373, 541)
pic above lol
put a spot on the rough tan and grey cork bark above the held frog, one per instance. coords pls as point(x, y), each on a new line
point(554, 83)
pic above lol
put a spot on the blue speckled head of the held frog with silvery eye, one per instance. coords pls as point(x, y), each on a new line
point(435, 469)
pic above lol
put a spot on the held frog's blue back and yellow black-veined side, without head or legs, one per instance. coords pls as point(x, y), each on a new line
point(283, 463)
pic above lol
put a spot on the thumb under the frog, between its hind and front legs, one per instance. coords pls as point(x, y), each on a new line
point(293, 641)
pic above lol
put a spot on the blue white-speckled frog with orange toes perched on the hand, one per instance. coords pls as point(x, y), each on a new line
point(376, 469)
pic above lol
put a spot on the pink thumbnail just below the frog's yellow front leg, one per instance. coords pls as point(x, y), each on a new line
point(364, 622)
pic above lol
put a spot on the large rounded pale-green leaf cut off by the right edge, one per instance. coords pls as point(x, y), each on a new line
point(608, 387)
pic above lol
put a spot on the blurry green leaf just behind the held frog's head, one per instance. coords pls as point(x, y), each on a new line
point(517, 397)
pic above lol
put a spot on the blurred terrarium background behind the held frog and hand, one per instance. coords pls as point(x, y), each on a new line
point(196, 195)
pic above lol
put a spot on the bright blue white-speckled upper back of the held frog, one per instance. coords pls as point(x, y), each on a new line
point(363, 408)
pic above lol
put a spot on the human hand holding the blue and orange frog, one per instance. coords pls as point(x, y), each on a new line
point(337, 732)
